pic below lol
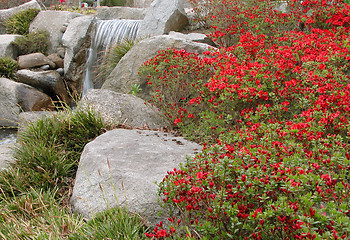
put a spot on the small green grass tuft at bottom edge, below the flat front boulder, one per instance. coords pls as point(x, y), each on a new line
point(114, 223)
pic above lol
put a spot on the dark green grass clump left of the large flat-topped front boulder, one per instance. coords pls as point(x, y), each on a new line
point(48, 151)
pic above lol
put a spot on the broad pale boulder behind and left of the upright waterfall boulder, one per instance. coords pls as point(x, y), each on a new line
point(53, 22)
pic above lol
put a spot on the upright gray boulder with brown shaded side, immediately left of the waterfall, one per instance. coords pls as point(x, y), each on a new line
point(76, 41)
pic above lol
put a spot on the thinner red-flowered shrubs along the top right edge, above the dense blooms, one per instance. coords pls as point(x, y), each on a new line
point(263, 17)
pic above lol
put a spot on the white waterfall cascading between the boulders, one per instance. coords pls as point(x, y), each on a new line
point(107, 33)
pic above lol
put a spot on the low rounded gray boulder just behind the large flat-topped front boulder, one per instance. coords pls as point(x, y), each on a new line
point(117, 108)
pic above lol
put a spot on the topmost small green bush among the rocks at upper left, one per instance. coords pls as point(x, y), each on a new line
point(19, 22)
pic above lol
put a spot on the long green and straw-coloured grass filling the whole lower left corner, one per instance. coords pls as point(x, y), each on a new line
point(35, 189)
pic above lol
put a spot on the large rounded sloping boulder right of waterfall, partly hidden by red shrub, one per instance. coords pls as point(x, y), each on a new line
point(125, 74)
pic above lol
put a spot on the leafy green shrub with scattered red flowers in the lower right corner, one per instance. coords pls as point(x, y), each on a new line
point(264, 181)
